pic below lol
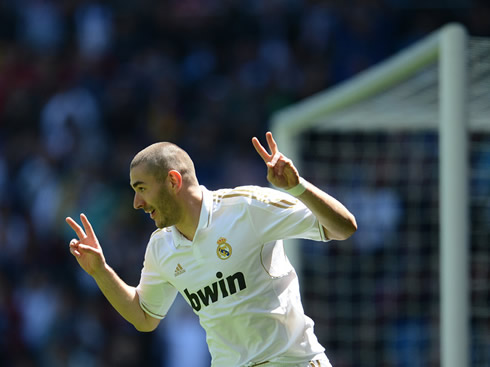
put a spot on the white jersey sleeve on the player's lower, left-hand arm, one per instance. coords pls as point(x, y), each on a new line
point(156, 295)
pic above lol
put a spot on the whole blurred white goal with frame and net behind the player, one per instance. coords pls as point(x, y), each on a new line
point(406, 147)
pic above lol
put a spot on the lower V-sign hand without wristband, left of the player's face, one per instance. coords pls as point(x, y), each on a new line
point(86, 249)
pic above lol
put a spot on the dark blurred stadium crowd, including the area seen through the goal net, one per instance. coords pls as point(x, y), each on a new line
point(86, 84)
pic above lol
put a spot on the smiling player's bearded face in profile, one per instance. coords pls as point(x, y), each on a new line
point(153, 196)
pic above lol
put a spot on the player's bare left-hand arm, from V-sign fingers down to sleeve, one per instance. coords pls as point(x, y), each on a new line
point(122, 297)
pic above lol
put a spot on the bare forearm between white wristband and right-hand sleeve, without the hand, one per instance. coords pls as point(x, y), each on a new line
point(338, 223)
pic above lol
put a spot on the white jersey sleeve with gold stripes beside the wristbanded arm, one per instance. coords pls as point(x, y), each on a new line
point(282, 216)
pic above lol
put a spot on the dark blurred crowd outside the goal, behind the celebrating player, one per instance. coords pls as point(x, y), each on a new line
point(86, 84)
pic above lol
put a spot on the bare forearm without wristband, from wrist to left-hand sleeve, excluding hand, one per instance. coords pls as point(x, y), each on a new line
point(124, 299)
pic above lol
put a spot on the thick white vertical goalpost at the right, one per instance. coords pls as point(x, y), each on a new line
point(454, 208)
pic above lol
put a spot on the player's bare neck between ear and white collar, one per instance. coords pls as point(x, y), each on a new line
point(192, 200)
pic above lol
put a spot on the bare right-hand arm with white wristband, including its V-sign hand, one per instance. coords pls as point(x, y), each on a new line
point(338, 222)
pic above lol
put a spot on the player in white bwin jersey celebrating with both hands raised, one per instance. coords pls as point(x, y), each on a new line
point(223, 251)
